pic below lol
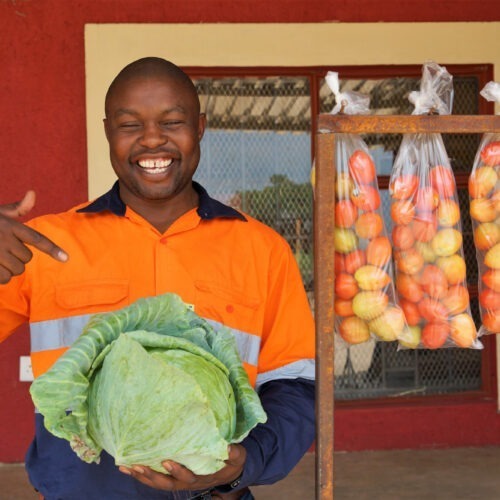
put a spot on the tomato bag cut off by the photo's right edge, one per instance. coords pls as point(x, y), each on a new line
point(484, 208)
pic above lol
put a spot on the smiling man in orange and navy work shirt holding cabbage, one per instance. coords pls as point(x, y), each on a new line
point(156, 231)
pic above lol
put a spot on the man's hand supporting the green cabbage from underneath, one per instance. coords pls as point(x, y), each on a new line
point(180, 478)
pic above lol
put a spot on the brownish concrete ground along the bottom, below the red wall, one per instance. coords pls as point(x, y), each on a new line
point(458, 474)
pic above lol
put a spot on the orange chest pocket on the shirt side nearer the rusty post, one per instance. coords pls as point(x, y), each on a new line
point(231, 307)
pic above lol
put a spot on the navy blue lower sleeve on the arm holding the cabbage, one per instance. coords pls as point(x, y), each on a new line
point(274, 448)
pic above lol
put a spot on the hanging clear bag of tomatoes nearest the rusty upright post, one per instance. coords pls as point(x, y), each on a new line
point(364, 305)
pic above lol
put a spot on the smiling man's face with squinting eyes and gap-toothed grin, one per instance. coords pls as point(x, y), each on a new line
point(154, 128)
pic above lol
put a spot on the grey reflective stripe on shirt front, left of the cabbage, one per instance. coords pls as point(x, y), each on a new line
point(56, 333)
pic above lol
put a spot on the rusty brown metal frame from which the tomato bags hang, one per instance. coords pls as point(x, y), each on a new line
point(324, 275)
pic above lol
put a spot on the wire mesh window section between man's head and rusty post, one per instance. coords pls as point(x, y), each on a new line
point(256, 154)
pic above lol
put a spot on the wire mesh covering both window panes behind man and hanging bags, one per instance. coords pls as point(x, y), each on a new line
point(256, 157)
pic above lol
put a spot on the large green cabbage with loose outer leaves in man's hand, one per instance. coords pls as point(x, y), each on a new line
point(150, 382)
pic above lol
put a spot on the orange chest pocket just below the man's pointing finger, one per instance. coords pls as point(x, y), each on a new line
point(94, 295)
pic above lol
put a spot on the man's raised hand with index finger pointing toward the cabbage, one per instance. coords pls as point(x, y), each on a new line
point(15, 236)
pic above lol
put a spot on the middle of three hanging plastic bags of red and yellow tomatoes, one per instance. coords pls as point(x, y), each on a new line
point(430, 267)
